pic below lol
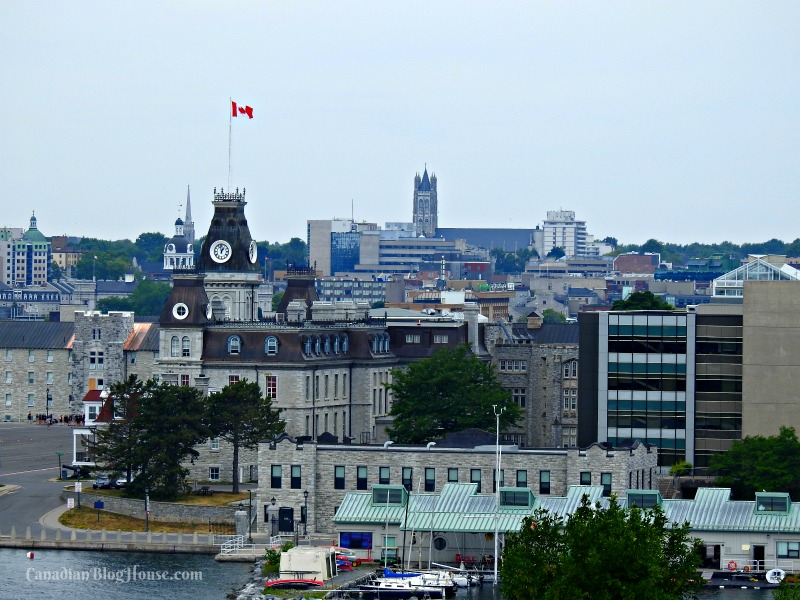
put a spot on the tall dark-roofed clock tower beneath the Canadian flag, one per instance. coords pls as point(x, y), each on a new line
point(229, 260)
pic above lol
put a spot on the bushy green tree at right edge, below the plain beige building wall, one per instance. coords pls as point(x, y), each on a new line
point(758, 463)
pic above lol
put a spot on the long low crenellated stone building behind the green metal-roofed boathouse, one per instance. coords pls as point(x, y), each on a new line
point(289, 467)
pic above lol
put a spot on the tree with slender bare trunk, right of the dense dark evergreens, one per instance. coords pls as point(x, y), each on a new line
point(240, 415)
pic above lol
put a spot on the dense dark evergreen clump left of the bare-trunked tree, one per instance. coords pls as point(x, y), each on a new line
point(154, 429)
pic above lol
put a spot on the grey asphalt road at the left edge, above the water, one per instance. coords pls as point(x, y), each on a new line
point(28, 459)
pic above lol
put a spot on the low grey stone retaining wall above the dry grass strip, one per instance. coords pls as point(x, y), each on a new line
point(166, 512)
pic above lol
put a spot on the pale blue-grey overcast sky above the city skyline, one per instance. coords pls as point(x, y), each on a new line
point(678, 121)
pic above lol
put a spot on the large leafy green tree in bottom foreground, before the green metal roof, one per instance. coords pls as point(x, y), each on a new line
point(603, 554)
